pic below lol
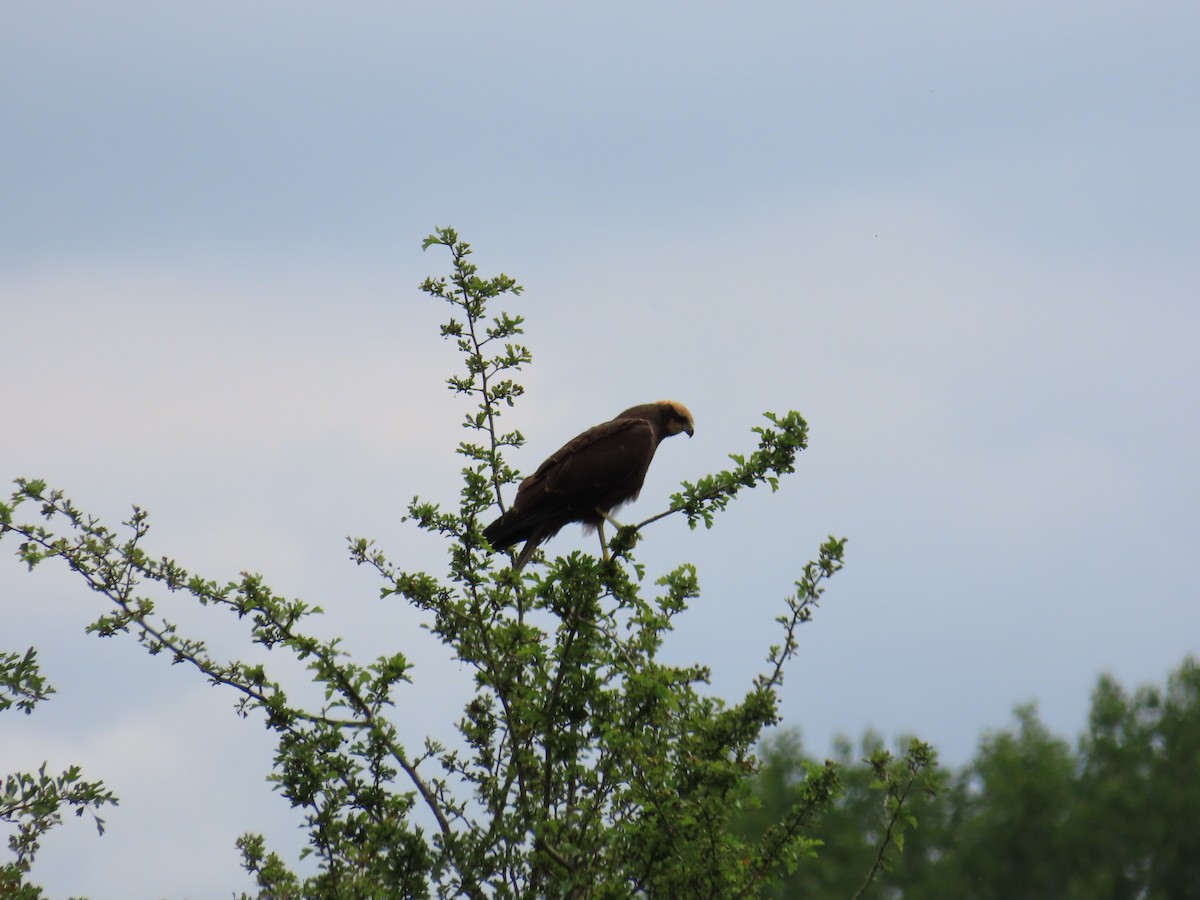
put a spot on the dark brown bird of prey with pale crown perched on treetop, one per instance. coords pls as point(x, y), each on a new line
point(589, 478)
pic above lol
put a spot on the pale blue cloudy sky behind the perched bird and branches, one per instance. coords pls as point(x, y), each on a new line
point(962, 241)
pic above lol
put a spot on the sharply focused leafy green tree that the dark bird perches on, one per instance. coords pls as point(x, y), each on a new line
point(586, 769)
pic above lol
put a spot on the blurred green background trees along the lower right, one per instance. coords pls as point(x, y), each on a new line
point(1115, 817)
